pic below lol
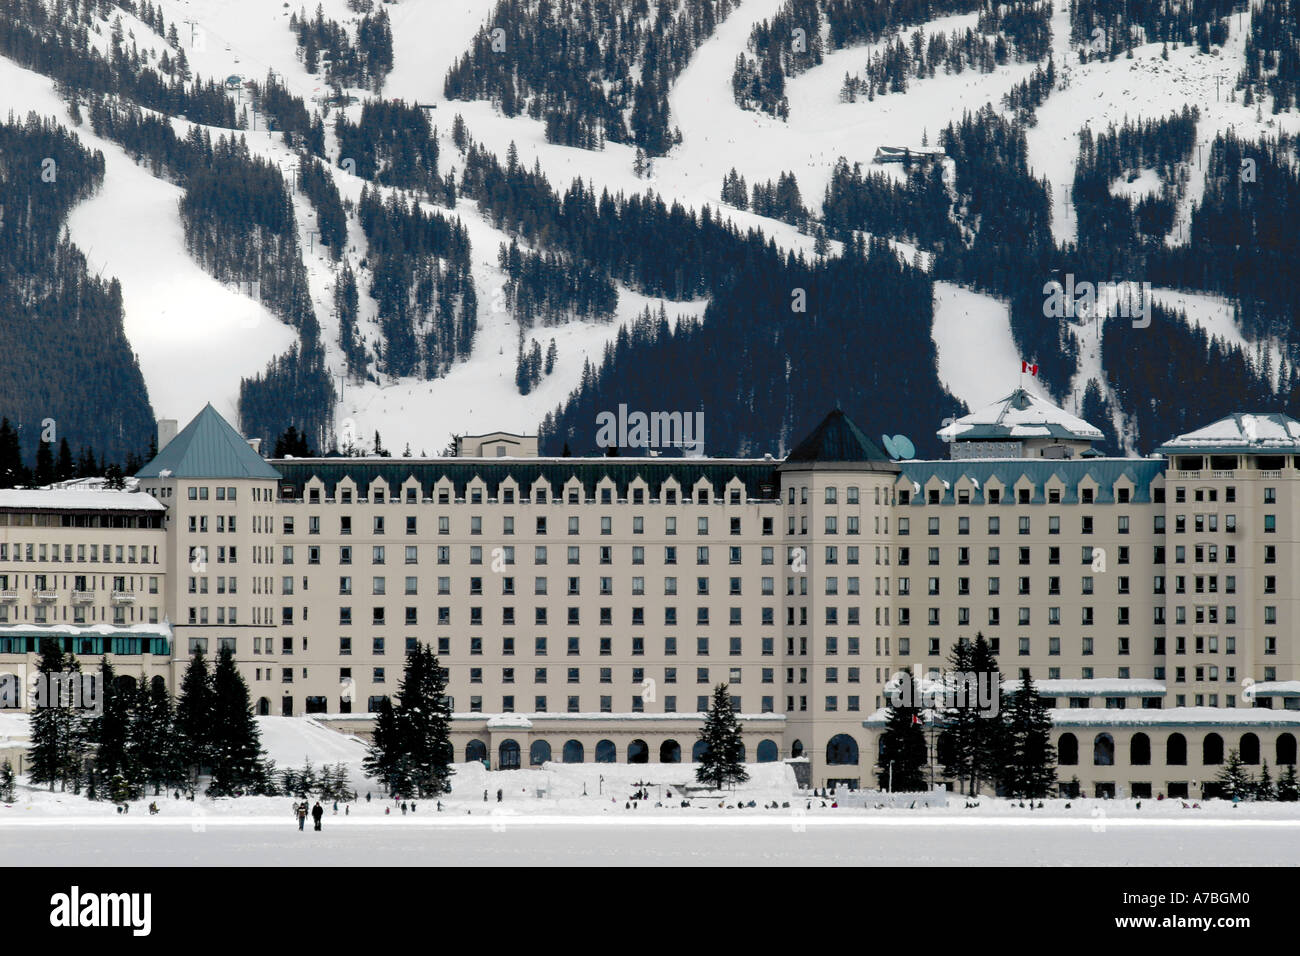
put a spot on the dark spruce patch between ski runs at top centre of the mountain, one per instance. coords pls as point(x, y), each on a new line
point(591, 72)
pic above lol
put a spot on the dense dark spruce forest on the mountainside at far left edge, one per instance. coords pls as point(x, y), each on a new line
point(64, 356)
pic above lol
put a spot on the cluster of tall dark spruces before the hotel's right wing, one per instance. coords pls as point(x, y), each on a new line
point(1011, 751)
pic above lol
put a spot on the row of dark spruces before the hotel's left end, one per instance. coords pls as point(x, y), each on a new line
point(140, 741)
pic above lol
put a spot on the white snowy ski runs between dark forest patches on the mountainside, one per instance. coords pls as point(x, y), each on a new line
point(197, 339)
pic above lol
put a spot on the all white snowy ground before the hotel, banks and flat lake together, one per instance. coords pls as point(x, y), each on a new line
point(586, 814)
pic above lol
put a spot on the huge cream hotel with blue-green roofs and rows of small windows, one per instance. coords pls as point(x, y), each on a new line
point(586, 608)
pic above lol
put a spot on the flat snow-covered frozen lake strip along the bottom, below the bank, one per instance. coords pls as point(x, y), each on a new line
point(759, 841)
